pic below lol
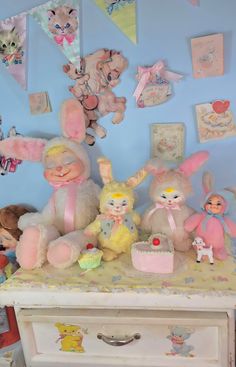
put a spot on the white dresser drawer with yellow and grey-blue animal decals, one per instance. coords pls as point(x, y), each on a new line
point(124, 338)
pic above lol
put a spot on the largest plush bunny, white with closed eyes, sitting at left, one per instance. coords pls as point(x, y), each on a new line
point(56, 233)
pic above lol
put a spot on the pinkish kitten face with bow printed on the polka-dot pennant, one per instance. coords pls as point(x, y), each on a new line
point(63, 23)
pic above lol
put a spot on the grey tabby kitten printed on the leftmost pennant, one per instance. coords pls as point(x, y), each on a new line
point(10, 46)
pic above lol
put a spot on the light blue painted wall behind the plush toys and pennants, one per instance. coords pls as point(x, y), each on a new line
point(164, 31)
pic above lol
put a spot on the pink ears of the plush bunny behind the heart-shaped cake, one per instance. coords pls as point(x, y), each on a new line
point(188, 167)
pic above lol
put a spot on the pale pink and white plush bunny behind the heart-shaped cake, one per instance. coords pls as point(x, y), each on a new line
point(169, 191)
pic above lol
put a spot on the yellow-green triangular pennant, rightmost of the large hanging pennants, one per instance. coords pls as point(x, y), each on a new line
point(122, 13)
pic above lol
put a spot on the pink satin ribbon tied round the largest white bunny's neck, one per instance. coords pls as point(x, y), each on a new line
point(70, 205)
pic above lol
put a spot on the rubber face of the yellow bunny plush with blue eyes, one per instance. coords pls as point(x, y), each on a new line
point(117, 204)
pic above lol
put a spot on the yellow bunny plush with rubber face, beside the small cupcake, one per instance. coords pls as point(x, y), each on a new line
point(116, 226)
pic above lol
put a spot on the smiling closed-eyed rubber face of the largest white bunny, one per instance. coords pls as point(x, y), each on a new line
point(62, 165)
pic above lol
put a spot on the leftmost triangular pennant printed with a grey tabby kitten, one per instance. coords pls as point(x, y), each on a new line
point(13, 47)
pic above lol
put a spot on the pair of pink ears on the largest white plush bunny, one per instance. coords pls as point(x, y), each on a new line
point(26, 148)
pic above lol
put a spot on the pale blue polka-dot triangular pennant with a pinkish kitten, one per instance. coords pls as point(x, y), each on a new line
point(60, 20)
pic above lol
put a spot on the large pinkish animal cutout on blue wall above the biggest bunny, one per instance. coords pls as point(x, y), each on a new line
point(99, 73)
